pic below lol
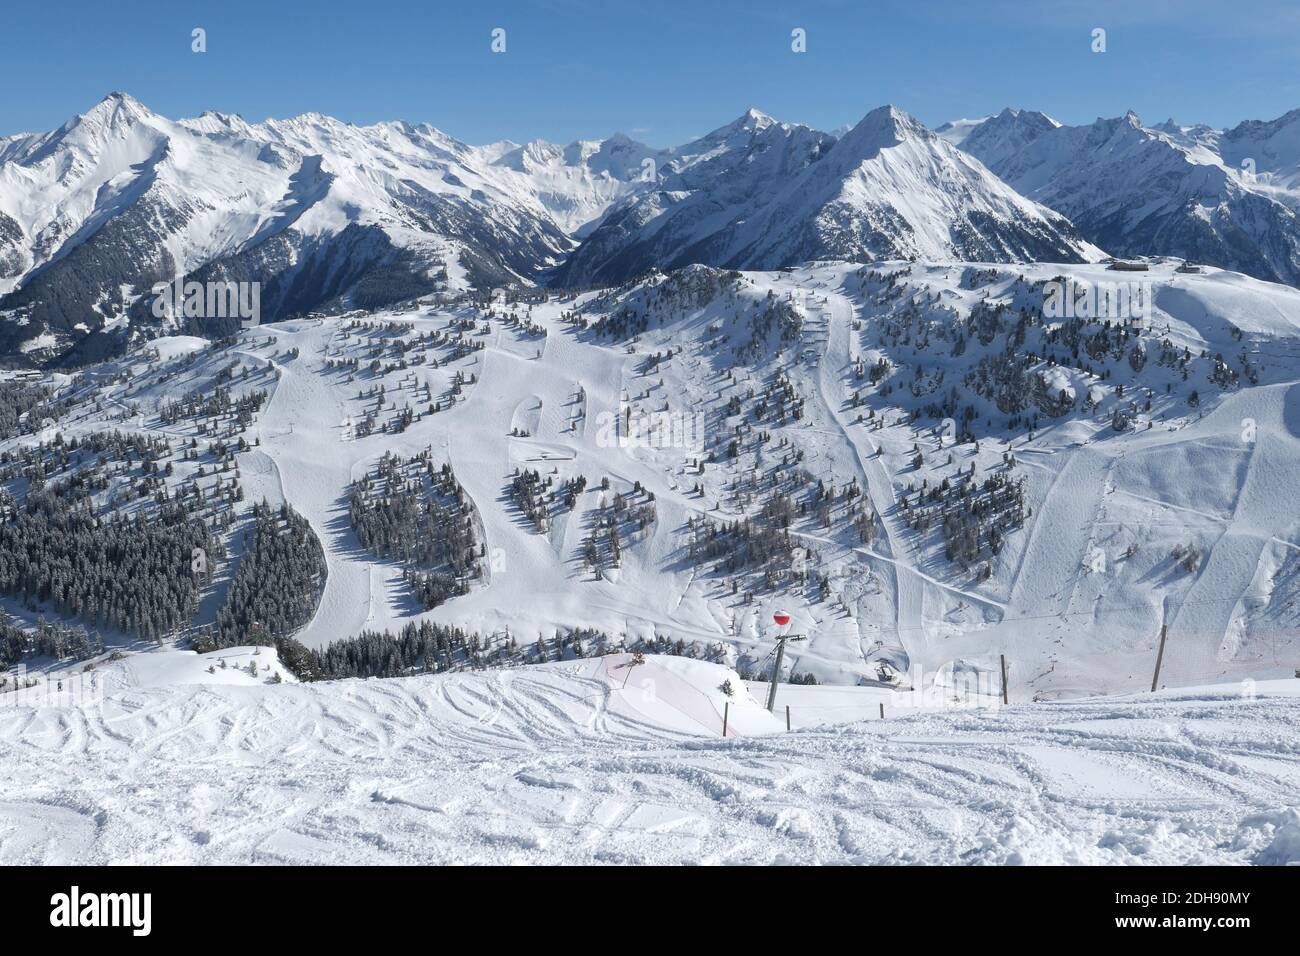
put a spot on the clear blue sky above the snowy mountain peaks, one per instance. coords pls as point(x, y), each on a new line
point(661, 71)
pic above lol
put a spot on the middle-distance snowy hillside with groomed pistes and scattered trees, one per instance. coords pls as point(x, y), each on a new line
point(1076, 598)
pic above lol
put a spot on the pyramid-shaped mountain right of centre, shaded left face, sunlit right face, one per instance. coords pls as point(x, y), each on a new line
point(762, 196)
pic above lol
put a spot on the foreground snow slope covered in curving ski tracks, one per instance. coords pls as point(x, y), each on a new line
point(561, 764)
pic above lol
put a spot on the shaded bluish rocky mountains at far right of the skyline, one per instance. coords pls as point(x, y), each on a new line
point(1165, 191)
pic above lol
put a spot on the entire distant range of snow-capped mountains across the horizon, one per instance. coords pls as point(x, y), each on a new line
point(327, 215)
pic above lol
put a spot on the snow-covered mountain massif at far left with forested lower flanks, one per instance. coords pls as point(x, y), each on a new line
point(317, 210)
